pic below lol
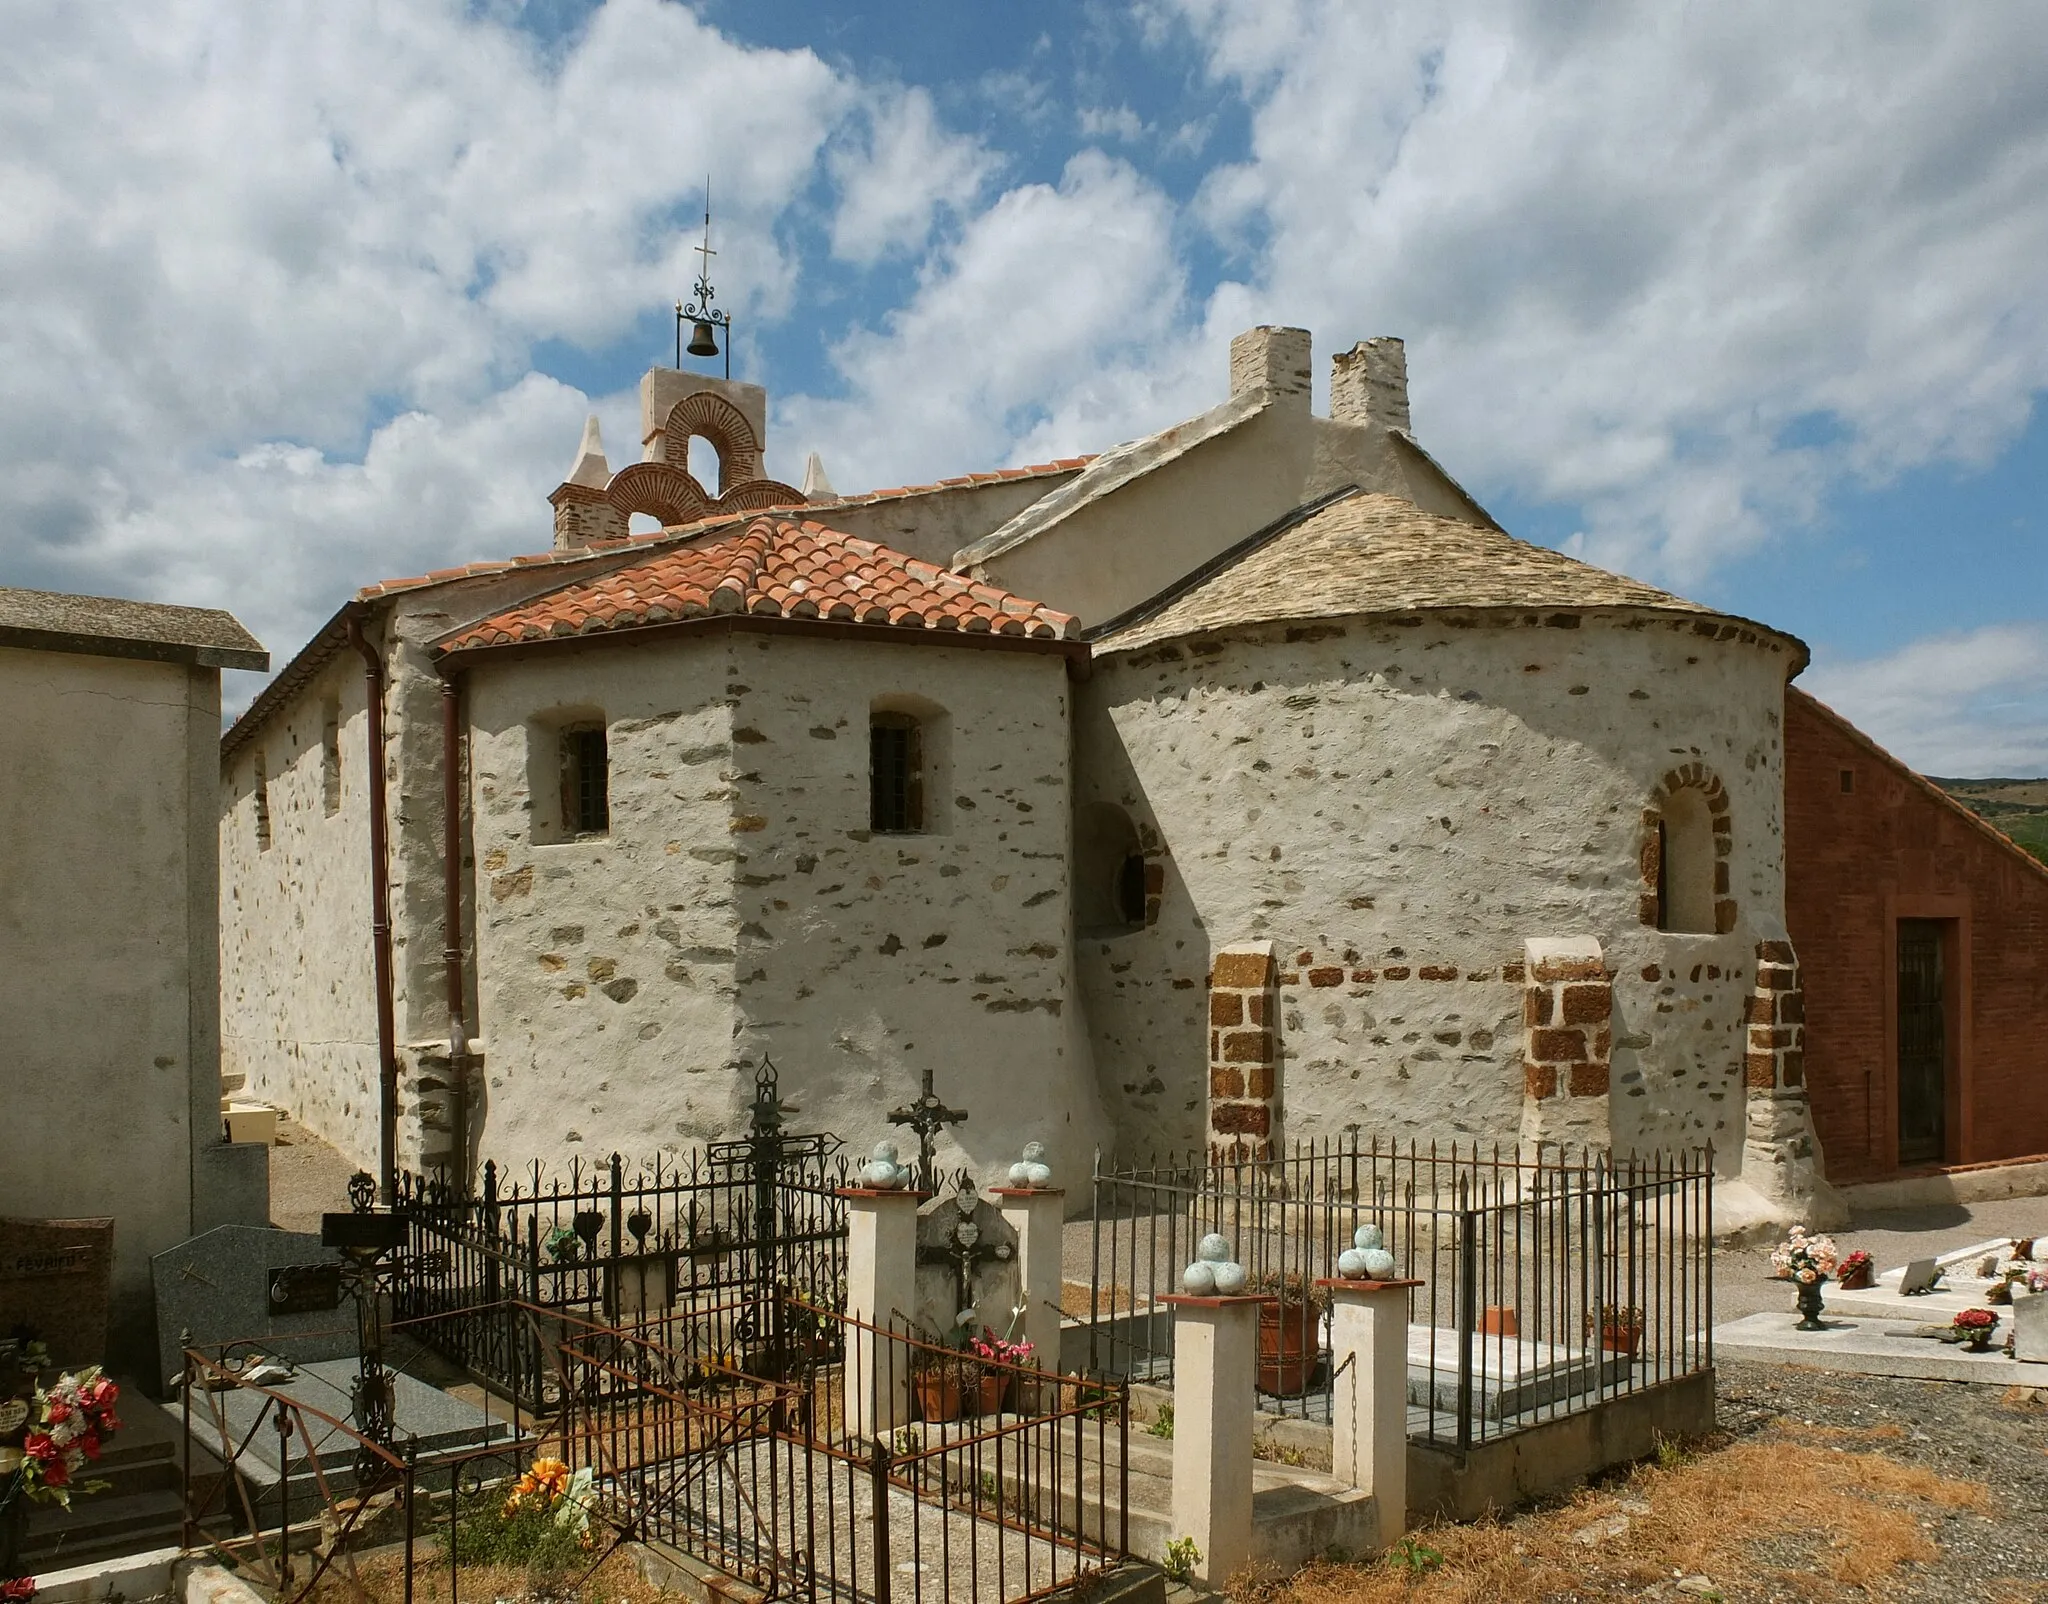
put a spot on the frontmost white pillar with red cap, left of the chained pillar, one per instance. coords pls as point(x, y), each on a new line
point(1215, 1371)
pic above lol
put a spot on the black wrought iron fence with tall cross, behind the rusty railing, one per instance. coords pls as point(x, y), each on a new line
point(687, 1249)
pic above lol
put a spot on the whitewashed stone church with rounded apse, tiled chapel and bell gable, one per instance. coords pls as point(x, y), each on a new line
point(1238, 786)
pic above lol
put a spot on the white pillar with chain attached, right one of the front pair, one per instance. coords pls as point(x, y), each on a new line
point(1369, 1400)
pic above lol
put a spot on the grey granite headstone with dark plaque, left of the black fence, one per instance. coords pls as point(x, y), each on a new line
point(251, 1281)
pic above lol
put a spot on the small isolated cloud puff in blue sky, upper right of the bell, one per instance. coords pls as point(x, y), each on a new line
point(900, 179)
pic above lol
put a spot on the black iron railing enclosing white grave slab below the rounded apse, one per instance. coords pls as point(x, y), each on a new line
point(1549, 1285)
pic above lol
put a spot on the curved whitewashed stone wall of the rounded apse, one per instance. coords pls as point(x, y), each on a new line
point(1400, 808)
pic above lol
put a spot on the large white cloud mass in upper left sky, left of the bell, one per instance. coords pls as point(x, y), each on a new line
point(275, 273)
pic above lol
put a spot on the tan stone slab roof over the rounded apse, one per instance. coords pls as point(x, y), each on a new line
point(1373, 554)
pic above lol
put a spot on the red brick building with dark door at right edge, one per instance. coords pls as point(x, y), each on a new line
point(1924, 943)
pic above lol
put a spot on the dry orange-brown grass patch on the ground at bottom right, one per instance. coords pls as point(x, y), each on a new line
point(1785, 1511)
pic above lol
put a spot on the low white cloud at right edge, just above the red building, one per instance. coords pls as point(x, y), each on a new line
point(1961, 706)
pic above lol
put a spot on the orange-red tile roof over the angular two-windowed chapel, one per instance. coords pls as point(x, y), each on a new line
point(775, 568)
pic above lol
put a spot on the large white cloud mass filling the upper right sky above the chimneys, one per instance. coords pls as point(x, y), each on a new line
point(1631, 249)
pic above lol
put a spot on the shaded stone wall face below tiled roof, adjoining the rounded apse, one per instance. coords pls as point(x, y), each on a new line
point(863, 958)
